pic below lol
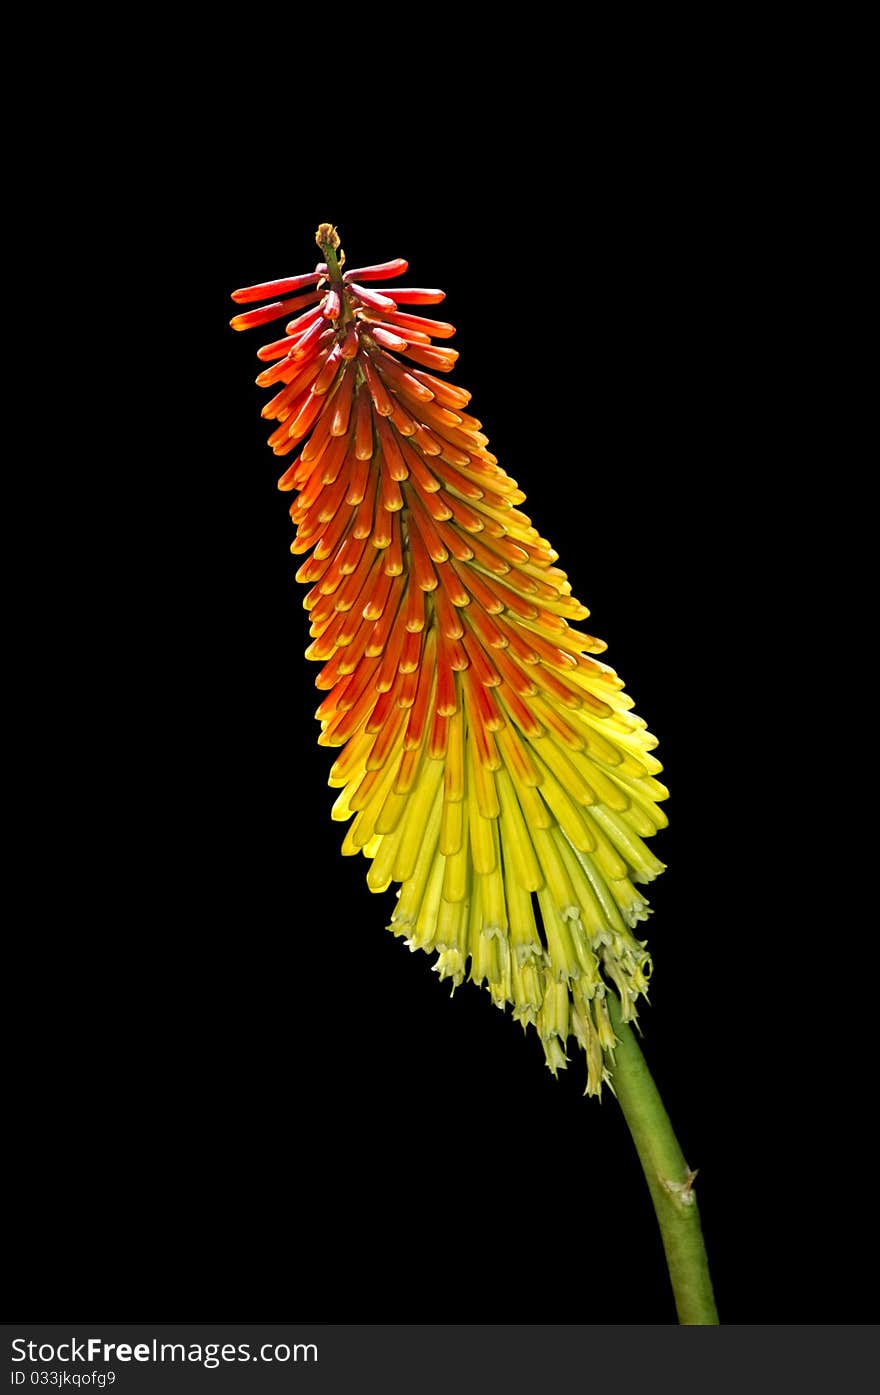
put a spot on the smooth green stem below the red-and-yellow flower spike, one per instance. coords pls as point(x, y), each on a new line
point(669, 1178)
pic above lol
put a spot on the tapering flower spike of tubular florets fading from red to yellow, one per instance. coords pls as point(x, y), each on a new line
point(489, 762)
